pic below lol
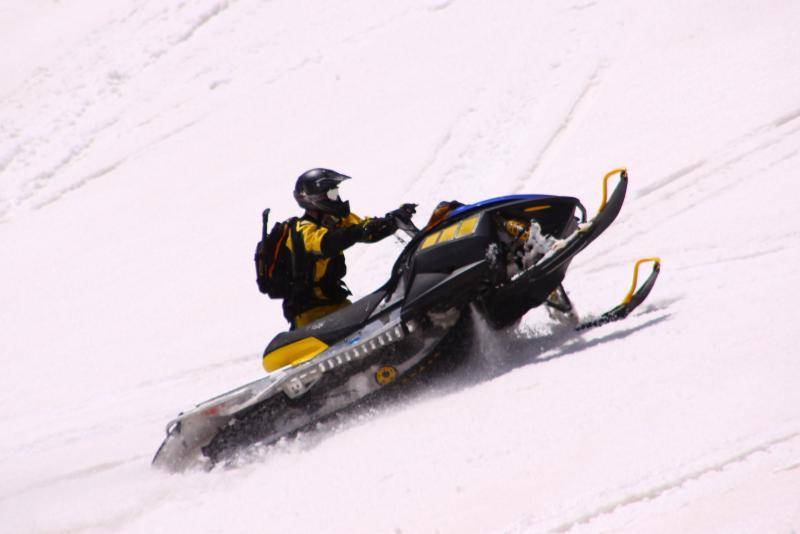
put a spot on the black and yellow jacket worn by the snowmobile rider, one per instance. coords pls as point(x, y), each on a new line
point(321, 265)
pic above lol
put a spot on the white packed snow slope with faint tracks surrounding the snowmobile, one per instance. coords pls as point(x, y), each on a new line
point(140, 140)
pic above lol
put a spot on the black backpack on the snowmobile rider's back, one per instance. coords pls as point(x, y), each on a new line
point(275, 269)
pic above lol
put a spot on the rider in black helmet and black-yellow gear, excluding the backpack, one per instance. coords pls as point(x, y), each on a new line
point(327, 228)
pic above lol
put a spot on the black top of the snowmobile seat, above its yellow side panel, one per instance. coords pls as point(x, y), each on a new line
point(332, 327)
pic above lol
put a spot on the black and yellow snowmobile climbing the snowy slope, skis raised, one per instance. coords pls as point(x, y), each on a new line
point(499, 257)
